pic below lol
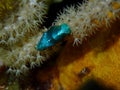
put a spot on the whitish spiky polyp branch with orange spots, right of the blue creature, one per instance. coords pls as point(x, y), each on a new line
point(86, 18)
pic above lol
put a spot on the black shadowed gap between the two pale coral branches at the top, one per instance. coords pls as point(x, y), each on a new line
point(56, 8)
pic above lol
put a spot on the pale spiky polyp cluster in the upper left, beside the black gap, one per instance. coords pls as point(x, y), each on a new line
point(22, 23)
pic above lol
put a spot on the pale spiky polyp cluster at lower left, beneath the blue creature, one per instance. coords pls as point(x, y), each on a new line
point(22, 59)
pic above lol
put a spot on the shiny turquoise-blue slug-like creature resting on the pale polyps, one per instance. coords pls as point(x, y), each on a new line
point(54, 35)
